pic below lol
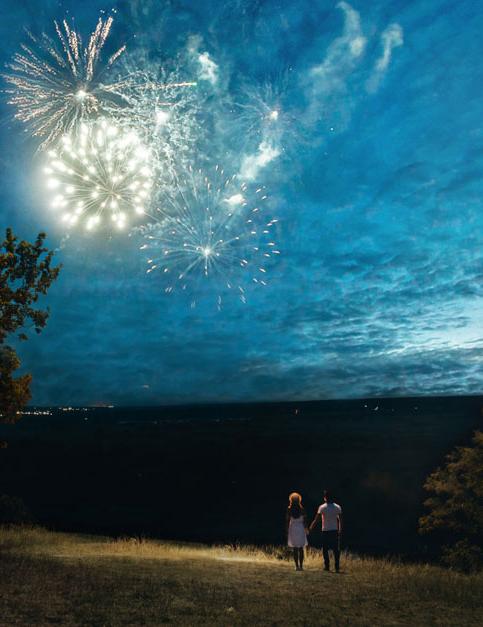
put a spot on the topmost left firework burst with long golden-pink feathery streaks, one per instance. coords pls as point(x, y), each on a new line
point(56, 83)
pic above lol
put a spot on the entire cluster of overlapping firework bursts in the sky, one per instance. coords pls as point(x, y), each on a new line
point(108, 134)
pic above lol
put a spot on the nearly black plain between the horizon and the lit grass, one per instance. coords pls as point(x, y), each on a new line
point(222, 473)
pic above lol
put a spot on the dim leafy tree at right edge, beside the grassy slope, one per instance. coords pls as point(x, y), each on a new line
point(456, 505)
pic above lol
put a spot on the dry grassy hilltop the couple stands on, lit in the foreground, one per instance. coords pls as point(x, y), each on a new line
point(48, 578)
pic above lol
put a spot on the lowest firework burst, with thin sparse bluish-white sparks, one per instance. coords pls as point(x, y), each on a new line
point(213, 228)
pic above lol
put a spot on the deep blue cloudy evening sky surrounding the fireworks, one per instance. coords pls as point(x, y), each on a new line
point(375, 173)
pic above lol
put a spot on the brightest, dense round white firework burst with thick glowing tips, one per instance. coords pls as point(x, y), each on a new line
point(99, 174)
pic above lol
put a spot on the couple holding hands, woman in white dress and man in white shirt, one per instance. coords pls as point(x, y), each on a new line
point(330, 515)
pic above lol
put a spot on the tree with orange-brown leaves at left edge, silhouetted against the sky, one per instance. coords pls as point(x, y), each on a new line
point(26, 273)
